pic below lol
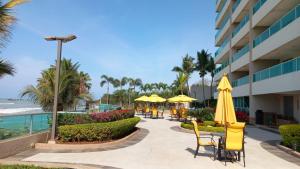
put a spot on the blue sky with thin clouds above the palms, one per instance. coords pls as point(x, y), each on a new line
point(134, 38)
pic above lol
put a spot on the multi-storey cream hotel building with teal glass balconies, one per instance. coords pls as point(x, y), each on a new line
point(259, 48)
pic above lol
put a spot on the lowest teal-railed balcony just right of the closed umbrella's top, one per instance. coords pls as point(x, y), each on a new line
point(241, 87)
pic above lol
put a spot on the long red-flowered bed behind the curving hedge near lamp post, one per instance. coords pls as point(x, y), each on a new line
point(72, 118)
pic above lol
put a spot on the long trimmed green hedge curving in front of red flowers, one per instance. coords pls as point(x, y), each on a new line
point(97, 131)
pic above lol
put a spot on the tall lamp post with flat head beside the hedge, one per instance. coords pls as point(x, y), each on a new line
point(59, 40)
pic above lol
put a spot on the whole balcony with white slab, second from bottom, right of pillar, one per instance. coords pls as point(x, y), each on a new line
point(284, 32)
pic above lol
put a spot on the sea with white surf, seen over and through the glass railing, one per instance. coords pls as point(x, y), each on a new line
point(21, 117)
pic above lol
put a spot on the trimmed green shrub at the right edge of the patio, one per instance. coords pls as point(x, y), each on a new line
point(290, 134)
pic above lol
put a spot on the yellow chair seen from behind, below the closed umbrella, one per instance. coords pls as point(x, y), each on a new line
point(234, 140)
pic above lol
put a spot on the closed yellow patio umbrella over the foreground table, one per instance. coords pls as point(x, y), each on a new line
point(225, 110)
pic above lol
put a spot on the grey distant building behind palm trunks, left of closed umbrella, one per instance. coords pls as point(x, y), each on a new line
point(197, 92)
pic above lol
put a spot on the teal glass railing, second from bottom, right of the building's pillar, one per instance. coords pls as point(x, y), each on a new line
point(277, 26)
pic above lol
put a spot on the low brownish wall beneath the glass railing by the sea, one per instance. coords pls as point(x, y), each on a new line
point(16, 145)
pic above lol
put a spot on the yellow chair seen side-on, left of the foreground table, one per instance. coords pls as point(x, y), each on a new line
point(201, 143)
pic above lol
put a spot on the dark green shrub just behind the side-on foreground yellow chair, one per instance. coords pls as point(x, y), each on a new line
point(203, 114)
